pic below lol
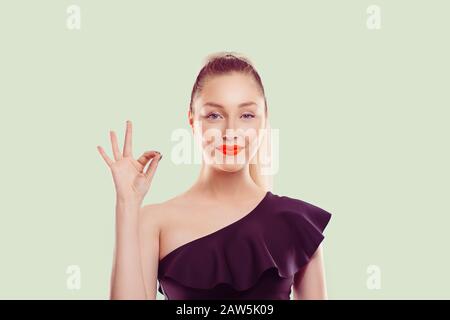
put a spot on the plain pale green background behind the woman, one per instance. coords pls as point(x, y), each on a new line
point(363, 119)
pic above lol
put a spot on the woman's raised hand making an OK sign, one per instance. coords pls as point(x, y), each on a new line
point(130, 180)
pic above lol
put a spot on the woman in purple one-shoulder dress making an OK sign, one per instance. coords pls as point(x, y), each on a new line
point(228, 236)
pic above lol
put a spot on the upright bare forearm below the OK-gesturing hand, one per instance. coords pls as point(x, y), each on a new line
point(127, 279)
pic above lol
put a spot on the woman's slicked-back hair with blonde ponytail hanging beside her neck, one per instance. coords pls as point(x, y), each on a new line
point(226, 62)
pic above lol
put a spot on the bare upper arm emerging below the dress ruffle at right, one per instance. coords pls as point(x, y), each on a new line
point(309, 282)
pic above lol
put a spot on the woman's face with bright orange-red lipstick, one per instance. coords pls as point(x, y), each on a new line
point(229, 115)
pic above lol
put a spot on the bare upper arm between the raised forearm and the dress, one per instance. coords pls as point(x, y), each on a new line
point(149, 246)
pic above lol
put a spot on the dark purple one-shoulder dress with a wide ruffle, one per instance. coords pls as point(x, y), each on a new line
point(255, 257)
